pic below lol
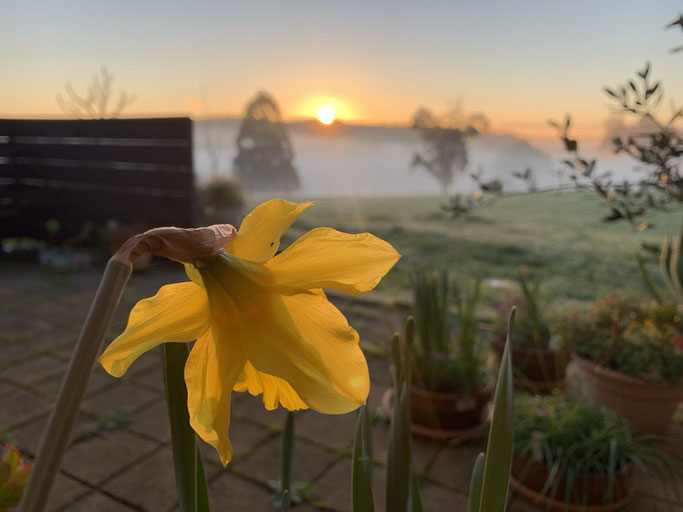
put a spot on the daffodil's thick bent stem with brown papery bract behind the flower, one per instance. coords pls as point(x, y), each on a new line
point(183, 245)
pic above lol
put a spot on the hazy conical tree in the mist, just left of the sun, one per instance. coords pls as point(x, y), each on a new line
point(264, 152)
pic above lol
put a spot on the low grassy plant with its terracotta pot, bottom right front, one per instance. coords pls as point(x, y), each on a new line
point(570, 457)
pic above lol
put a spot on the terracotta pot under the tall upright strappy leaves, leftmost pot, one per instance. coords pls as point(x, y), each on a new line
point(444, 416)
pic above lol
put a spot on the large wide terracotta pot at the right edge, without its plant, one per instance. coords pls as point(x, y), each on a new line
point(647, 406)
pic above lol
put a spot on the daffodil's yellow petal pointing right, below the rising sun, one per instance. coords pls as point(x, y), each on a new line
point(327, 258)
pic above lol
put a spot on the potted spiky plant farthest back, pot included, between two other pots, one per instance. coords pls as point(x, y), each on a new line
point(538, 362)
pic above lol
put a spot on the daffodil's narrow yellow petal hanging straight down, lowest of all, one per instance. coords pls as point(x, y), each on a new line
point(211, 371)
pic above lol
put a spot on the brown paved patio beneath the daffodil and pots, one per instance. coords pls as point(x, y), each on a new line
point(119, 458)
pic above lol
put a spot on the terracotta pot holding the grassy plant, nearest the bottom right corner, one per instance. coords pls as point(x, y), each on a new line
point(587, 493)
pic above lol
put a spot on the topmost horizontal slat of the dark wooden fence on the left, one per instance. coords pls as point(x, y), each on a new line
point(163, 128)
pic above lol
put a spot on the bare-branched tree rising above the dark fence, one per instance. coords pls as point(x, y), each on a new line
point(95, 103)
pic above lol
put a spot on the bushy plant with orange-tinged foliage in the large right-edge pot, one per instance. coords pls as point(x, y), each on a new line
point(637, 338)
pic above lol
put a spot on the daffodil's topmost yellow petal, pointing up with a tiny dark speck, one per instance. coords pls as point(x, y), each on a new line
point(258, 238)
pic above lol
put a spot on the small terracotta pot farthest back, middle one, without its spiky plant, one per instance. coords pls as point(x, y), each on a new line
point(536, 370)
